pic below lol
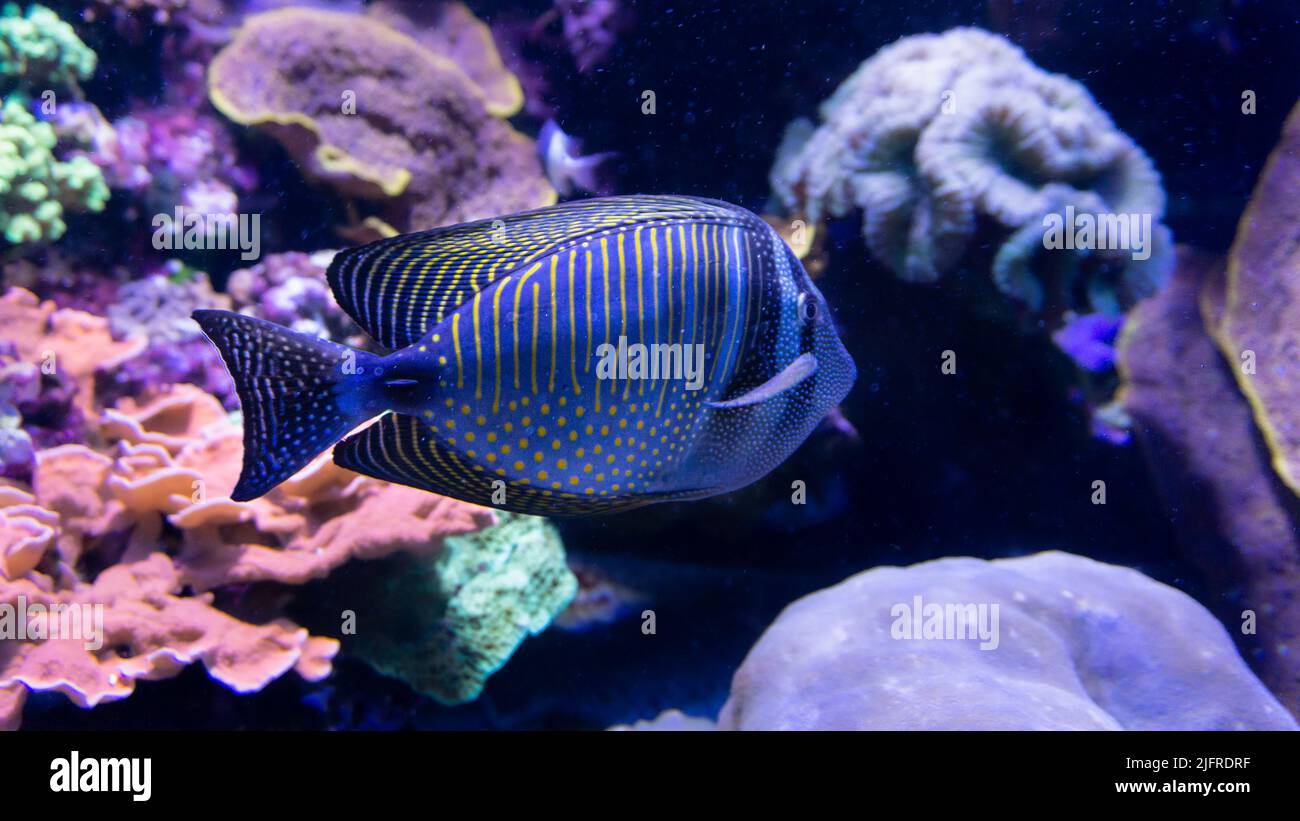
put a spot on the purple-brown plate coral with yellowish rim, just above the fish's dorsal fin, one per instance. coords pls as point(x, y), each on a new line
point(379, 116)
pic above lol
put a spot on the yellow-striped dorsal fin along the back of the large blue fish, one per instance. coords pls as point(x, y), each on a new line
point(397, 289)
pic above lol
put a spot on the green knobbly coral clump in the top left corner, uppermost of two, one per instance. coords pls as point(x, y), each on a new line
point(41, 51)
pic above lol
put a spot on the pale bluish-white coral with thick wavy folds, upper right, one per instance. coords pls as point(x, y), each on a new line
point(938, 133)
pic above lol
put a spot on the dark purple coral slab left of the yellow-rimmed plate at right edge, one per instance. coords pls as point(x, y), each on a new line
point(1234, 516)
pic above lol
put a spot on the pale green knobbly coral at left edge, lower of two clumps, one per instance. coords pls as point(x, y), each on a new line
point(36, 188)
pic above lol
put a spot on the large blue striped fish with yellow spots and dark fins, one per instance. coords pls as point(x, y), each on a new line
point(541, 360)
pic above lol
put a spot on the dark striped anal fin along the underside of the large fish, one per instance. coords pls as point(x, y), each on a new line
point(402, 449)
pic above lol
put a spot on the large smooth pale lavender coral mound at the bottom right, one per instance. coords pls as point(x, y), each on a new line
point(1081, 645)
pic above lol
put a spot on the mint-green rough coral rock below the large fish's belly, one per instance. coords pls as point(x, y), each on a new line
point(447, 624)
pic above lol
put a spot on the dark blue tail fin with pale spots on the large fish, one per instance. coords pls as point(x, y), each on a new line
point(300, 394)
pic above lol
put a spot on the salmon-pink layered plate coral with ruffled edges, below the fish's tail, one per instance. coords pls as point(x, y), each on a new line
point(138, 520)
